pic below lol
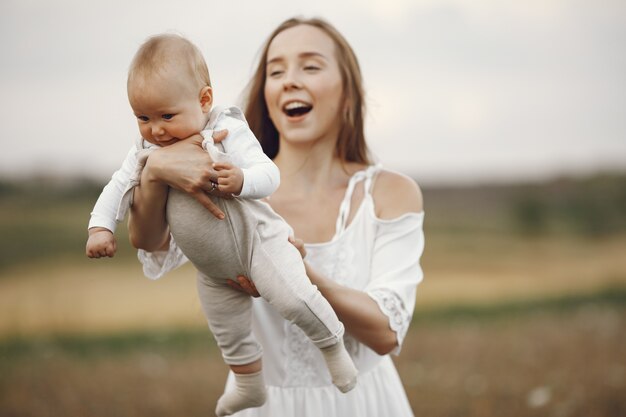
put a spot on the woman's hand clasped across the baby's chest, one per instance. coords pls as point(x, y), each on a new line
point(189, 168)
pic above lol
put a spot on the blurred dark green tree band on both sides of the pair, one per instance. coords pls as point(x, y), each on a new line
point(47, 217)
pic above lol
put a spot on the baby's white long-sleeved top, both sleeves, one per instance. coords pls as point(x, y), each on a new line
point(261, 175)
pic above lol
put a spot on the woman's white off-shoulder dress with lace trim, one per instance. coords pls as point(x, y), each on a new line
point(380, 257)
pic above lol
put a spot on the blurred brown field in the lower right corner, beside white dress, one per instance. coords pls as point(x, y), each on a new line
point(543, 364)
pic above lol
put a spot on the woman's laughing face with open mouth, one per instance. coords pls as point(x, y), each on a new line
point(303, 87)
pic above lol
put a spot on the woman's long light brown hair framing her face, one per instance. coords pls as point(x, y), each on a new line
point(351, 145)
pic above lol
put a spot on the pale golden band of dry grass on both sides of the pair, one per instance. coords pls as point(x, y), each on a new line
point(107, 296)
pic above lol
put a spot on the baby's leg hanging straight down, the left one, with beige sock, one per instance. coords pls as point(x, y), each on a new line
point(229, 314)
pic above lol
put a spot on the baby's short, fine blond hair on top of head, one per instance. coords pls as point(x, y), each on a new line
point(167, 51)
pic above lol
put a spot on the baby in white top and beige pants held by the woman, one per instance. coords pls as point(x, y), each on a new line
point(171, 95)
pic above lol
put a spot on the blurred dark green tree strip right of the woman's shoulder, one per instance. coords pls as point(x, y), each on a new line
point(593, 206)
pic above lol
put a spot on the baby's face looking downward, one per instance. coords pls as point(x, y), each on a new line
point(167, 108)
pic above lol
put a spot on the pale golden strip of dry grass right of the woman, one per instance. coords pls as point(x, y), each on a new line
point(483, 269)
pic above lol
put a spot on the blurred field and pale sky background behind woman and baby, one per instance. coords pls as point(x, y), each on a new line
point(510, 115)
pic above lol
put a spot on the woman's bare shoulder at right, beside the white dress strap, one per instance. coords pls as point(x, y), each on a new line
point(396, 194)
